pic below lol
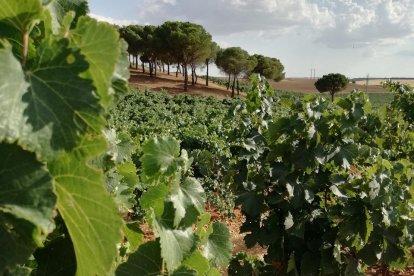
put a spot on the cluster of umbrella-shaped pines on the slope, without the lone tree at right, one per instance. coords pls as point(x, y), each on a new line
point(189, 46)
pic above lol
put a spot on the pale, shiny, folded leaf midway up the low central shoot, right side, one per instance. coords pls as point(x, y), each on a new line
point(188, 194)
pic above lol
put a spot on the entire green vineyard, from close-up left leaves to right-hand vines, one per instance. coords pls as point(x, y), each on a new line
point(325, 188)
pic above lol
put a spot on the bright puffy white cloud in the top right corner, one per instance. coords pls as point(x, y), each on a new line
point(369, 23)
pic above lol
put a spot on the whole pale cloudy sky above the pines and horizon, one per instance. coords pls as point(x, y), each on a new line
point(353, 37)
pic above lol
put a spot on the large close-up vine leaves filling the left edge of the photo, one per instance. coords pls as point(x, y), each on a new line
point(53, 99)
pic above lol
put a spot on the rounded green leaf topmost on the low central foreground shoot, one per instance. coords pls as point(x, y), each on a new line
point(160, 156)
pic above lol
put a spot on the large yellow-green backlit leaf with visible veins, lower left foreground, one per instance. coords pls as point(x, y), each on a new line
point(89, 213)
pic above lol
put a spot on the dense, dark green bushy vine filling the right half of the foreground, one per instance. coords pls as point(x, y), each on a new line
point(322, 186)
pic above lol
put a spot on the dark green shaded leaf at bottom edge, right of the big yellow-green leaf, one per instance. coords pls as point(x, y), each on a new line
point(146, 261)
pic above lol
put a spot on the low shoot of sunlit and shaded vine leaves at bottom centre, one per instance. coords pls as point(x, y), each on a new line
point(174, 203)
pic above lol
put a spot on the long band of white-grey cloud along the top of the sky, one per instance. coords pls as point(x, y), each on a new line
point(337, 24)
